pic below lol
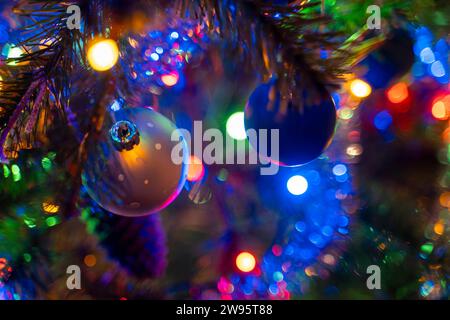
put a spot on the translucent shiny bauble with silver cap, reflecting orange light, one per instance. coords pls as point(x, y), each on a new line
point(130, 171)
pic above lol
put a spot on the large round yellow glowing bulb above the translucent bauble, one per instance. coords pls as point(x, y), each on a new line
point(103, 55)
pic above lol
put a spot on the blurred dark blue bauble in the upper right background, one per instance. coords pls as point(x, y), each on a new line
point(391, 61)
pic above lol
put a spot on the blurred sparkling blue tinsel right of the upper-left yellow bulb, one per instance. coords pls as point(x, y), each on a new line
point(159, 57)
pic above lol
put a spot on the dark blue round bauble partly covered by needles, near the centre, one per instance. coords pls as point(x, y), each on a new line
point(304, 132)
